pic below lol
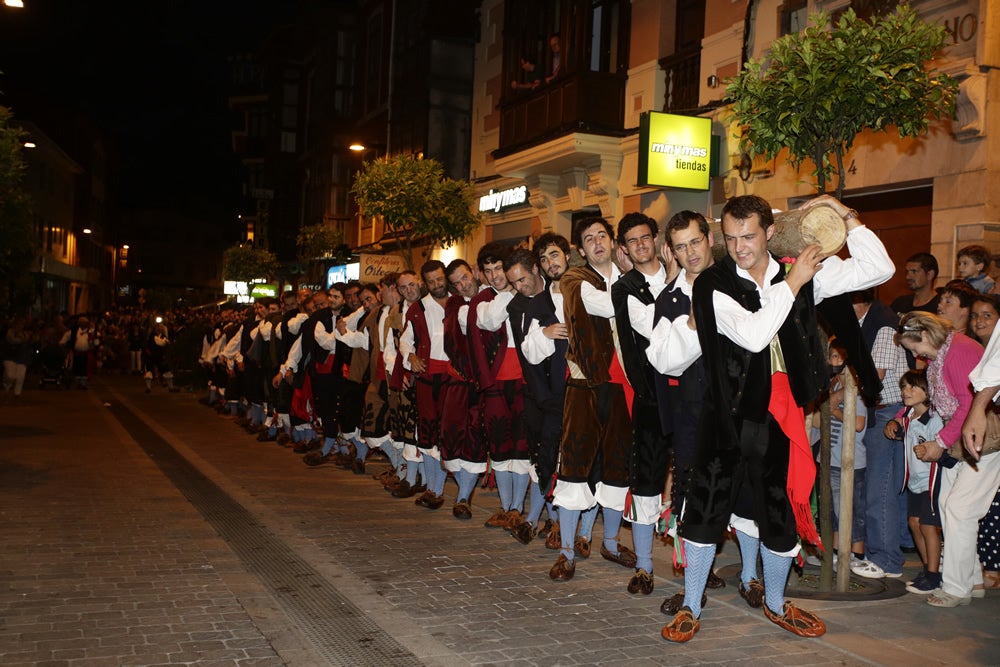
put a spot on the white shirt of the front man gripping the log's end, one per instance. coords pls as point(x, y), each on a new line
point(868, 265)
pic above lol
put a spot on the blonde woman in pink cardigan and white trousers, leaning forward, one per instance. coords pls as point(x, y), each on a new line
point(951, 356)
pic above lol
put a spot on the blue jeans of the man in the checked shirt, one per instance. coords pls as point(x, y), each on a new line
point(885, 515)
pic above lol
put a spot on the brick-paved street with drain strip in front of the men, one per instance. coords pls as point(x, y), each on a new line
point(145, 529)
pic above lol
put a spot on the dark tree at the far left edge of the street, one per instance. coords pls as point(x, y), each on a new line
point(19, 246)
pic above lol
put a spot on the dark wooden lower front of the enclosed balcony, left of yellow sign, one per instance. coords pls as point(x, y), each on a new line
point(592, 102)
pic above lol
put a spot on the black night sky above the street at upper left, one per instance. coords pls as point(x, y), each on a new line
point(153, 74)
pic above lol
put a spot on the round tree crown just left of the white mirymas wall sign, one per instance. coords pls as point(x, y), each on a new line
point(416, 202)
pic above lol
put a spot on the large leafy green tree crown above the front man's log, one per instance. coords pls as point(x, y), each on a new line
point(818, 89)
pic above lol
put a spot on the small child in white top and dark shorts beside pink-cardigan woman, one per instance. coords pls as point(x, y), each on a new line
point(916, 424)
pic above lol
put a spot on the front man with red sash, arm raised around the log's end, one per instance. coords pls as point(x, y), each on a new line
point(753, 466)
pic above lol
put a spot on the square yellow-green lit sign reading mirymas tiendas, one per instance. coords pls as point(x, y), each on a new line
point(675, 151)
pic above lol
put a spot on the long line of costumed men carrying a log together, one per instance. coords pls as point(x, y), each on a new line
point(578, 386)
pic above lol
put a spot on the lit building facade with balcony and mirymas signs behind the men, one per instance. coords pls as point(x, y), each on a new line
point(573, 141)
